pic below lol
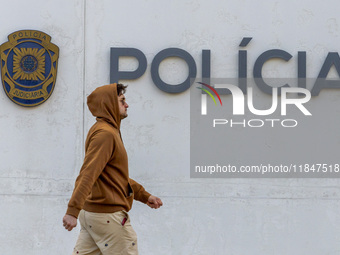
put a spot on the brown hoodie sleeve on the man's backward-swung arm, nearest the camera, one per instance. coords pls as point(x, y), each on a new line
point(98, 153)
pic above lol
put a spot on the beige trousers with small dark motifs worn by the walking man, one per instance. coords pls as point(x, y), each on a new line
point(106, 234)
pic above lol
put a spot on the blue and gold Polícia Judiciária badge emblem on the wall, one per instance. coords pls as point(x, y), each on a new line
point(29, 64)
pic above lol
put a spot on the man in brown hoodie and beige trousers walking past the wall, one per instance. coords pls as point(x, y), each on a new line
point(103, 192)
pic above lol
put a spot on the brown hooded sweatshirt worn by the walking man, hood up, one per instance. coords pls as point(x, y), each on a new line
point(103, 184)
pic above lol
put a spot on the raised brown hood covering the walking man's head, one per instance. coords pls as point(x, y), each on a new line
point(103, 104)
